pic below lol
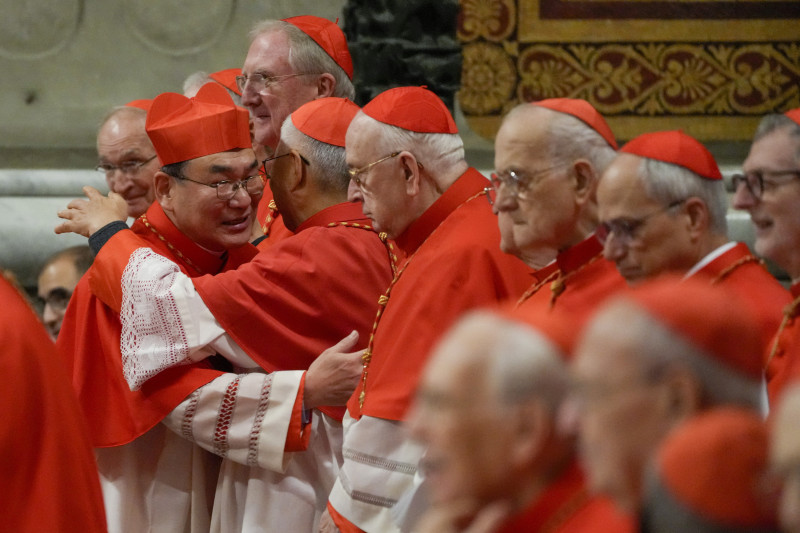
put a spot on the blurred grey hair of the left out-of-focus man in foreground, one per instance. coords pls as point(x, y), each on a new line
point(522, 364)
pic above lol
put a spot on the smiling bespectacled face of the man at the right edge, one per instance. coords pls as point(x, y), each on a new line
point(776, 215)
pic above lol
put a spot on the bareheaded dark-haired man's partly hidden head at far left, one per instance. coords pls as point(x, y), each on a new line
point(57, 279)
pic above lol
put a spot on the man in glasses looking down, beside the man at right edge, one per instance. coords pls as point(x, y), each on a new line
point(662, 206)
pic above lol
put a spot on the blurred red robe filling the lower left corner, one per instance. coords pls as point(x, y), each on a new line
point(48, 473)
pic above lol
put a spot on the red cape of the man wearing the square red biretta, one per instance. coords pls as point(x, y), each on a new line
point(89, 341)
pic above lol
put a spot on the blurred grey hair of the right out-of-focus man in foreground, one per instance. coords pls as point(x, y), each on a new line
point(662, 348)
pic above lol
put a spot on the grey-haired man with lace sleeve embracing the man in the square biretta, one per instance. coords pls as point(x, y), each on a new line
point(278, 312)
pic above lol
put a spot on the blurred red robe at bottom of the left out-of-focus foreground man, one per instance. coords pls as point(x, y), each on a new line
point(566, 507)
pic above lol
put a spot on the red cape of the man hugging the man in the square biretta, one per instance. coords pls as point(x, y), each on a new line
point(306, 293)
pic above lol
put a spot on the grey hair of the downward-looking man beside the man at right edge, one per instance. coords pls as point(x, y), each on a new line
point(666, 183)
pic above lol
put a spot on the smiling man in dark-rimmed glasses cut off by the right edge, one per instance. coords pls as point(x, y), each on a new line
point(770, 191)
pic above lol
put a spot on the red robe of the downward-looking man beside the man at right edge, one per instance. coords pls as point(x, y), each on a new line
point(740, 271)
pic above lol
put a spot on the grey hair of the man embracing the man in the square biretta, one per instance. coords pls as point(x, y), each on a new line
point(328, 161)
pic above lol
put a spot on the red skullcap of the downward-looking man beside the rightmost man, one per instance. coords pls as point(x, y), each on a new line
point(677, 148)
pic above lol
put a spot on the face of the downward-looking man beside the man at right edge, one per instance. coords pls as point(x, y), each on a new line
point(656, 240)
